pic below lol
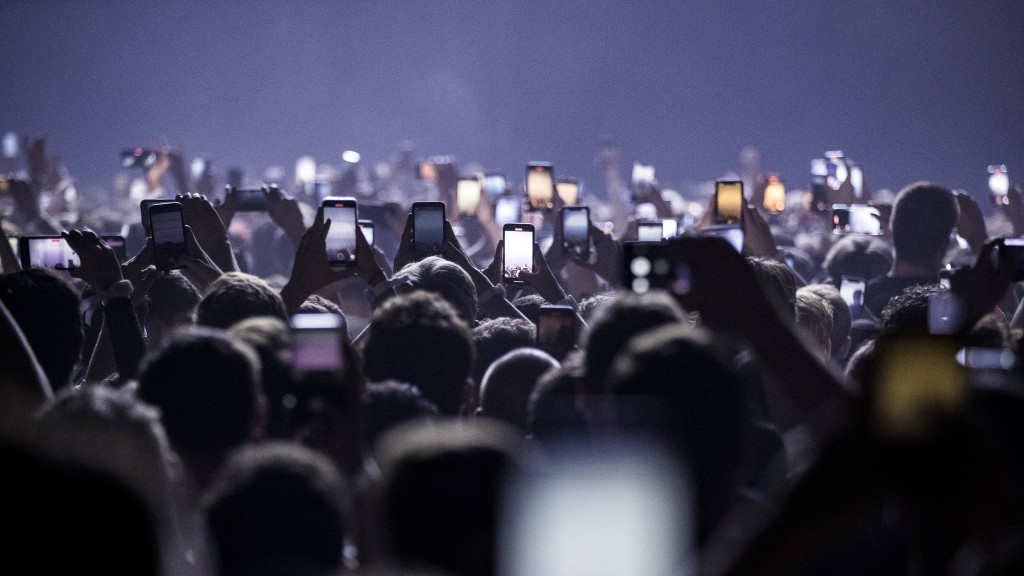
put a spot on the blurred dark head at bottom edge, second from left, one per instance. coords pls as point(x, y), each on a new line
point(277, 508)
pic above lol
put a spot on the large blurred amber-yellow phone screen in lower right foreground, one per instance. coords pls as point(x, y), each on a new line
point(917, 383)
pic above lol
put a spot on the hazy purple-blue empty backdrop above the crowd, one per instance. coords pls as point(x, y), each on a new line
point(912, 90)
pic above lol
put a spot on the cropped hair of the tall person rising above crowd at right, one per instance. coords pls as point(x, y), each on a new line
point(924, 217)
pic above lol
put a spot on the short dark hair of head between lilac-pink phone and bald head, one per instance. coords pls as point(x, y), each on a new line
point(419, 339)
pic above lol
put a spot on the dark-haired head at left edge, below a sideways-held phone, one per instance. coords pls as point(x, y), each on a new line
point(47, 309)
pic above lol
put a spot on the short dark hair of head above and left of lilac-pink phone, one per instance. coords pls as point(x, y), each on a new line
point(236, 297)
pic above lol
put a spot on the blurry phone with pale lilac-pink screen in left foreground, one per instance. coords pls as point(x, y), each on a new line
point(318, 343)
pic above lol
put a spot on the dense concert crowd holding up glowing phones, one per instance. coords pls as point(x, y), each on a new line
point(817, 402)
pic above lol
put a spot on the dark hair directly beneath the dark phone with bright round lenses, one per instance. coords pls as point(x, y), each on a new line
point(624, 316)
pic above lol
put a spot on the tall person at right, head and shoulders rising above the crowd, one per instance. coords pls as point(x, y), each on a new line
point(923, 220)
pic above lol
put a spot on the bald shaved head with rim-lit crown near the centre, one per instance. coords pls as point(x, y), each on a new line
point(508, 385)
